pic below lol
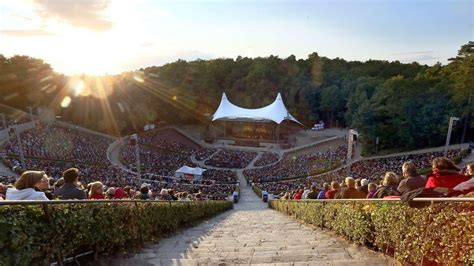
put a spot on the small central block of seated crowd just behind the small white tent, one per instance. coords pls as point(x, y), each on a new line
point(231, 159)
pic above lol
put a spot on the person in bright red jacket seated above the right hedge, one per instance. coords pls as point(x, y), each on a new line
point(445, 174)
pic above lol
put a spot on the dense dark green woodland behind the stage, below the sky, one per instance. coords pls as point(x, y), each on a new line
point(406, 105)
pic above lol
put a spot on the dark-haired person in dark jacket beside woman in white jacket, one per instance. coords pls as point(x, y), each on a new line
point(70, 189)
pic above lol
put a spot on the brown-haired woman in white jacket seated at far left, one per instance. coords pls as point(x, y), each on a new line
point(25, 187)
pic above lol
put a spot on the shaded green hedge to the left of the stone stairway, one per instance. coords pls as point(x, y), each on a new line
point(28, 236)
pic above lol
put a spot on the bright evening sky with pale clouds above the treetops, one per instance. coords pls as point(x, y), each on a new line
point(112, 36)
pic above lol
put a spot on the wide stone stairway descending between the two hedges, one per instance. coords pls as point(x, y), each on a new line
point(254, 234)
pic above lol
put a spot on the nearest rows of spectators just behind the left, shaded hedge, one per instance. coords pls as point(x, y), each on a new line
point(75, 184)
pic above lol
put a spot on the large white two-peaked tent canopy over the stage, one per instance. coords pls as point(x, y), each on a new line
point(275, 111)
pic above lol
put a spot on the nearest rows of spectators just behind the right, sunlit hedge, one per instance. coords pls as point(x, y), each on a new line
point(445, 180)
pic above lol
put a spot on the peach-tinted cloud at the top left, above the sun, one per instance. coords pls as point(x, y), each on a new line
point(80, 13)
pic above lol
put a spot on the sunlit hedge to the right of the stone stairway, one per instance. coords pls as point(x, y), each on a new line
point(442, 233)
